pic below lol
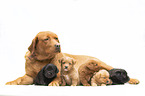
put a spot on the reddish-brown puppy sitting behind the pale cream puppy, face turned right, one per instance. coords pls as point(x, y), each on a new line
point(87, 70)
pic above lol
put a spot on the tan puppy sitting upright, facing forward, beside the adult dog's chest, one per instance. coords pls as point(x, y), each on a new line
point(69, 75)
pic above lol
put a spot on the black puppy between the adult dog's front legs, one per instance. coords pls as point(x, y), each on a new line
point(46, 75)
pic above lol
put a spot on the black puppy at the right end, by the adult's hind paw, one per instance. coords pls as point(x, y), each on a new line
point(118, 76)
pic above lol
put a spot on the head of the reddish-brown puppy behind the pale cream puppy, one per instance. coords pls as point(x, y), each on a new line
point(93, 65)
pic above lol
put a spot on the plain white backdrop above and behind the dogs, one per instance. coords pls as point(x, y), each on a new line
point(111, 30)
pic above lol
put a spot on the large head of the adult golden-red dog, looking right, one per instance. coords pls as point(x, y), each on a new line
point(45, 45)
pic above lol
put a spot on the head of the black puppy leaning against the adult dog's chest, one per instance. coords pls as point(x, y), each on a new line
point(50, 71)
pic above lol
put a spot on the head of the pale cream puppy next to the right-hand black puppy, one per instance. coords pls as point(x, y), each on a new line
point(103, 77)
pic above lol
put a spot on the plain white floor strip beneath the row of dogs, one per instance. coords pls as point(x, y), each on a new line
point(114, 90)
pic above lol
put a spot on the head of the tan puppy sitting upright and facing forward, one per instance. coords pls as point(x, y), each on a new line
point(67, 63)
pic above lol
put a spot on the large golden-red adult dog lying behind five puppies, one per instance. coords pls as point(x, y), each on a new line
point(44, 49)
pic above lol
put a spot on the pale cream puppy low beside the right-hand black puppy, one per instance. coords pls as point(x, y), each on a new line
point(101, 78)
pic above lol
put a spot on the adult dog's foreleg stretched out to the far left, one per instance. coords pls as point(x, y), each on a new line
point(25, 80)
